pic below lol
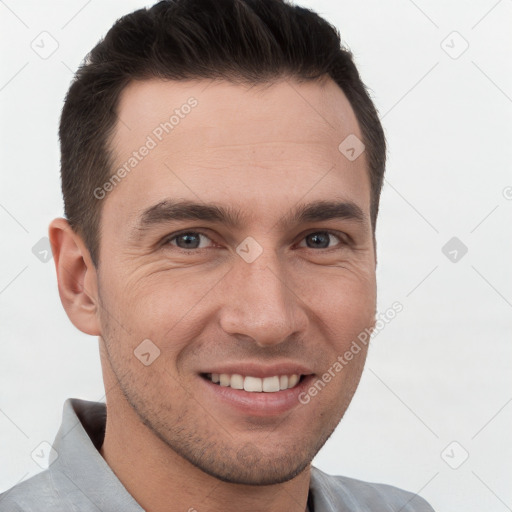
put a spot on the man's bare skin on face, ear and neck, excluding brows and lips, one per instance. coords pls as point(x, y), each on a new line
point(260, 150)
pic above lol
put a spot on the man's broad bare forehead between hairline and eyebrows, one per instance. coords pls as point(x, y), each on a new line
point(250, 147)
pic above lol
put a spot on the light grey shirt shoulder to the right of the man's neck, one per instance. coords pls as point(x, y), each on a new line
point(334, 492)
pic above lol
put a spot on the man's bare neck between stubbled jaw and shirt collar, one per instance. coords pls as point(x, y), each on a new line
point(160, 480)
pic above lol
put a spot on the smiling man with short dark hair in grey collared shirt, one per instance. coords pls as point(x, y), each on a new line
point(221, 170)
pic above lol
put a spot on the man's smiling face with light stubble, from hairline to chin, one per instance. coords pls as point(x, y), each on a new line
point(265, 296)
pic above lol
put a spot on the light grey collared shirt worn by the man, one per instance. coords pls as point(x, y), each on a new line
point(80, 480)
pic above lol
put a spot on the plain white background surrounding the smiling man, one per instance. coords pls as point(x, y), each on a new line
point(440, 371)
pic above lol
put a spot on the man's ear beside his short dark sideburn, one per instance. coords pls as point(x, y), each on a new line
point(76, 276)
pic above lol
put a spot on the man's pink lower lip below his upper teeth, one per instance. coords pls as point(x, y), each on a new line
point(258, 404)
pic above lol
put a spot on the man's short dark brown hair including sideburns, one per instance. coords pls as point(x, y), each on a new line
point(242, 41)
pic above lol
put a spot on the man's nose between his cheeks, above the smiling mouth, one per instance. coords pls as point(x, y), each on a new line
point(259, 302)
